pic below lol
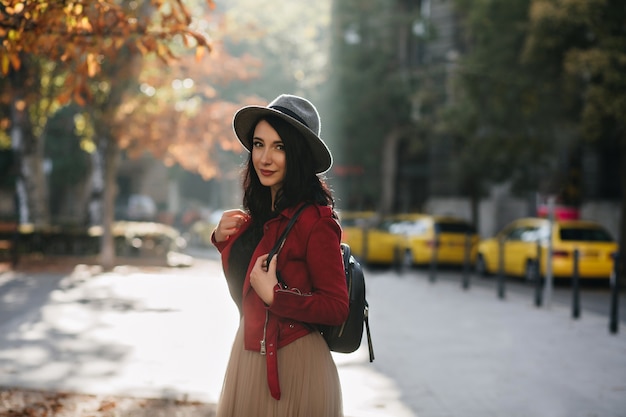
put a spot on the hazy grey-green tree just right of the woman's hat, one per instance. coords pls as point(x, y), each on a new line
point(368, 98)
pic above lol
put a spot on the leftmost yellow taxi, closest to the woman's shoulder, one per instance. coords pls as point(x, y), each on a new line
point(371, 240)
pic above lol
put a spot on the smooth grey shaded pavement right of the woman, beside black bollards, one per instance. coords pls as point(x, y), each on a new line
point(456, 353)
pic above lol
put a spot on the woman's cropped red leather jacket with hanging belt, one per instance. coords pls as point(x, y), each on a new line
point(311, 264)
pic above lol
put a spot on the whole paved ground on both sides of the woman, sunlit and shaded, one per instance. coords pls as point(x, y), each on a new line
point(440, 351)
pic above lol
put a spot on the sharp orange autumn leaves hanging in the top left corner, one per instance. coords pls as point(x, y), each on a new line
point(85, 32)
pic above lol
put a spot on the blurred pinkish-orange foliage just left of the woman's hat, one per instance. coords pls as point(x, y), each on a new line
point(180, 117)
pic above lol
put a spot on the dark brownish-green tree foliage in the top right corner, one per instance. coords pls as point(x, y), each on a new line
point(584, 41)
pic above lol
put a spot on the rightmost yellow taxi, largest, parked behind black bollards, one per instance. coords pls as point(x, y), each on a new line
point(525, 239)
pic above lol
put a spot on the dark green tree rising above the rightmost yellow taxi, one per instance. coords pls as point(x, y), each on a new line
point(506, 120)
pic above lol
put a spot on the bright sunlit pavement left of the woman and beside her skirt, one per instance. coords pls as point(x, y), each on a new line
point(146, 332)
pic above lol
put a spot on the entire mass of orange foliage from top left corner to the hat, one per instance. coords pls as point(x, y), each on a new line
point(94, 42)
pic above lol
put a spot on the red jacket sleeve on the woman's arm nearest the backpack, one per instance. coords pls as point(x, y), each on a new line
point(327, 303)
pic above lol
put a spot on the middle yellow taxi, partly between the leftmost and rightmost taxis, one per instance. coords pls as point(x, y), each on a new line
point(448, 240)
